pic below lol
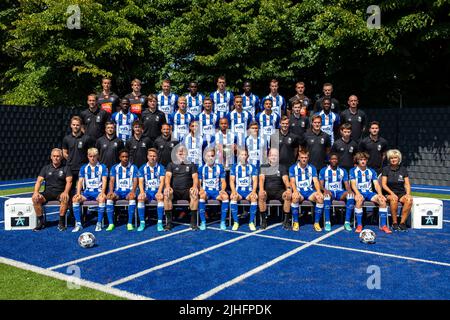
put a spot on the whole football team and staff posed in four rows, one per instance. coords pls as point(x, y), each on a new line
point(162, 148)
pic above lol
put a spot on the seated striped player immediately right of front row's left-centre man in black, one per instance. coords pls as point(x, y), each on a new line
point(212, 186)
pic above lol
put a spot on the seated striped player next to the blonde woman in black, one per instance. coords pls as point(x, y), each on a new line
point(361, 180)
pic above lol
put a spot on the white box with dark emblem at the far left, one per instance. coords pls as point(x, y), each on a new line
point(19, 214)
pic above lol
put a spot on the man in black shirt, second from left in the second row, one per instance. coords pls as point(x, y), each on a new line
point(109, 146)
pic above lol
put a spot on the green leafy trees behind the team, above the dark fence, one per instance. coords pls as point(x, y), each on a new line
point(42, 62)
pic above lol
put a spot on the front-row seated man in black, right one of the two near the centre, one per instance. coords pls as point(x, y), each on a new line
point(274, 185)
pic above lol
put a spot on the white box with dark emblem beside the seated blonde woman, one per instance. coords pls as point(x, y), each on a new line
point(427, 213)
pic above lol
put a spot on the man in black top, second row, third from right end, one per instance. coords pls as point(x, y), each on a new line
point(318, 143)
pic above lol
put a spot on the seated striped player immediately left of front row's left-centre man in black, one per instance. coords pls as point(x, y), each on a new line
point(151, 185)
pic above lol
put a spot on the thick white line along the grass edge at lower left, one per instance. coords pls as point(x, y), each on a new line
point(73, 280)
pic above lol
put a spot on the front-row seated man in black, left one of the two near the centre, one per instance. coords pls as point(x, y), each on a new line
point(183, 178)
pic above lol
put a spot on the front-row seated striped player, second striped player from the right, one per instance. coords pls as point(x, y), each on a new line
point(335, 185)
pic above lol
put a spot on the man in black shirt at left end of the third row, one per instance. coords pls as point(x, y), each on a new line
point(94, 119)
